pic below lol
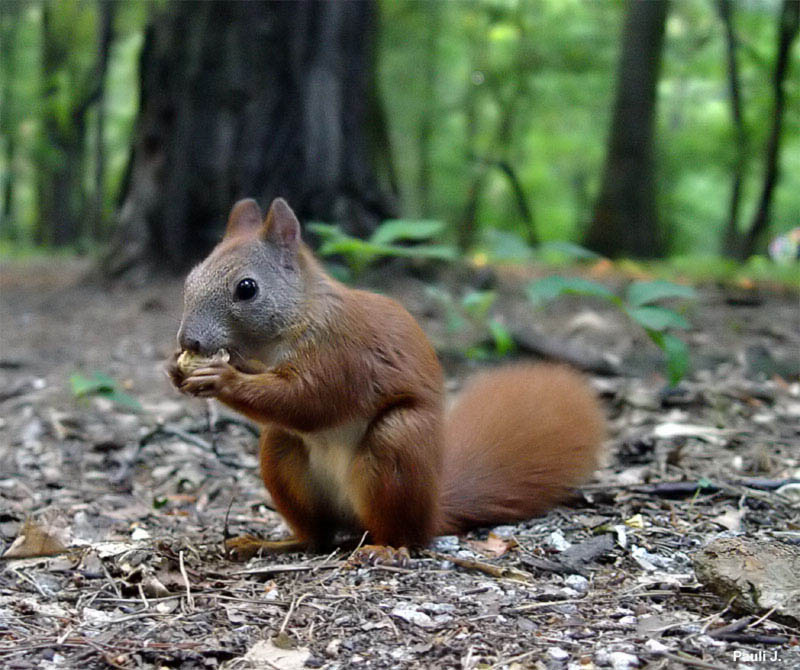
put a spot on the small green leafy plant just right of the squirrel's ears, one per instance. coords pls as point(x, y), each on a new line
point(385, 241)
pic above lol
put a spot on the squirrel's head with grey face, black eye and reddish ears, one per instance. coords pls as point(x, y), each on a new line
point(247, 294)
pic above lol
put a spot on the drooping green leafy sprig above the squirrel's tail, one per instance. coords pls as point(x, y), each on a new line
point(638, 305)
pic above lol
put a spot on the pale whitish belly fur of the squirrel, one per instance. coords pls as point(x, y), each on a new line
point(330, 456)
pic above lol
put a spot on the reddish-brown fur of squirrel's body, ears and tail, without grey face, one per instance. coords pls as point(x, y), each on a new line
point(516, 440)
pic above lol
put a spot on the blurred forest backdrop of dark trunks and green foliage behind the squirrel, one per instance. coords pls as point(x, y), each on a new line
point(636, 129)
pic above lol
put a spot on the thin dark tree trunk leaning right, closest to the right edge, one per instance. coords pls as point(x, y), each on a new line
point(789, 24)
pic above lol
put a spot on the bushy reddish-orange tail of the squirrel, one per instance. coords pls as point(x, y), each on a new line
point(516, 441)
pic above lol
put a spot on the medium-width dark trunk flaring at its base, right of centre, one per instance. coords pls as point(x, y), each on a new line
point(625, 221)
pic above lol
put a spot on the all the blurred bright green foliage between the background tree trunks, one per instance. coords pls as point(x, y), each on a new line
point(465, 86)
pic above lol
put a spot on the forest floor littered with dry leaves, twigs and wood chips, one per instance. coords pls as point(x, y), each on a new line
point(140, 501)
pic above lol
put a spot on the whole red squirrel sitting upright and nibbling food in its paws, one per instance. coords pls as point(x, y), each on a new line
point(350, 394)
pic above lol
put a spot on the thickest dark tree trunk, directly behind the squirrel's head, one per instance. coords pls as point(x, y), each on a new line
point(249, 99)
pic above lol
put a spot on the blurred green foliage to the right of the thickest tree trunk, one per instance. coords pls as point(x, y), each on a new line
point(532, 83)
